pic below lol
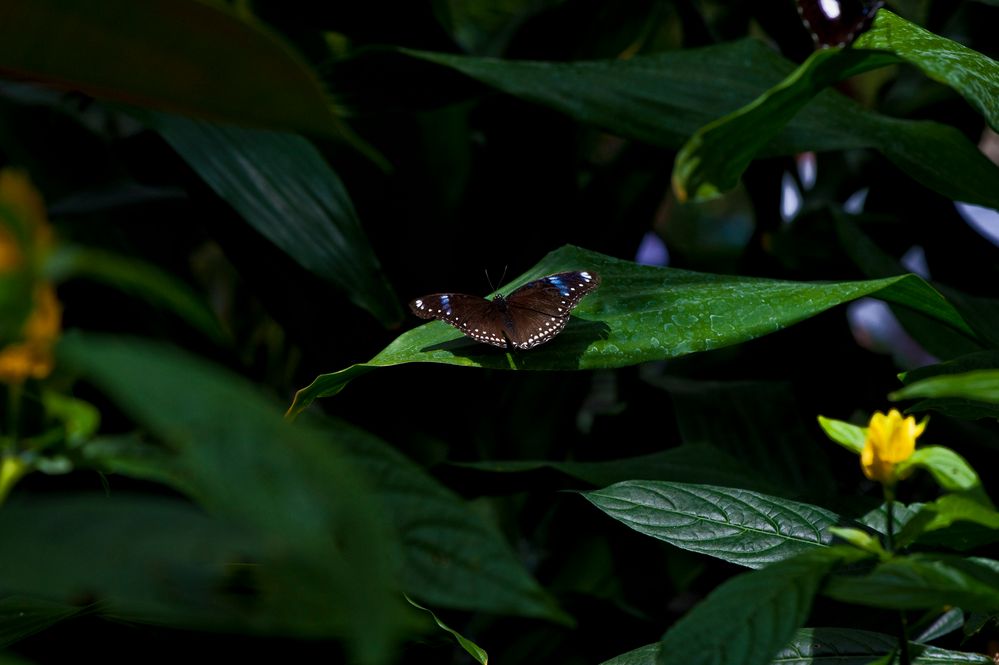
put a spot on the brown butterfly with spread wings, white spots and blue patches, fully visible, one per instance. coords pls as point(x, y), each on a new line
point(530, 315)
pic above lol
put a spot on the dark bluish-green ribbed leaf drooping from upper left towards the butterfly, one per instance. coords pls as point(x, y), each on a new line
point(282, 186)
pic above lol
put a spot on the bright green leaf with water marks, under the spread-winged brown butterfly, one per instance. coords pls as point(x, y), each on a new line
point(642, 313)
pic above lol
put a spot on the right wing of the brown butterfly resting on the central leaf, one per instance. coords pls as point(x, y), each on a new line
point(539, 310)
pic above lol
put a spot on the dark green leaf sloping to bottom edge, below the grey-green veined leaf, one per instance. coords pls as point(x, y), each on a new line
point(750, 617)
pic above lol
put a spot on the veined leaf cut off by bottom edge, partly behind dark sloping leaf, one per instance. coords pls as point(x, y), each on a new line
point(843, 646)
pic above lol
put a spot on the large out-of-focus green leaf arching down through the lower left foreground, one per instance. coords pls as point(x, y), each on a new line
point(329, 545)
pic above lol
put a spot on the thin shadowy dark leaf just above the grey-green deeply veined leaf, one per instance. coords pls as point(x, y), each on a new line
point(690, 463)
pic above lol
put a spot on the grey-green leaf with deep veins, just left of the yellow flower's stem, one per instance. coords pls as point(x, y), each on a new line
point(738, 526)
